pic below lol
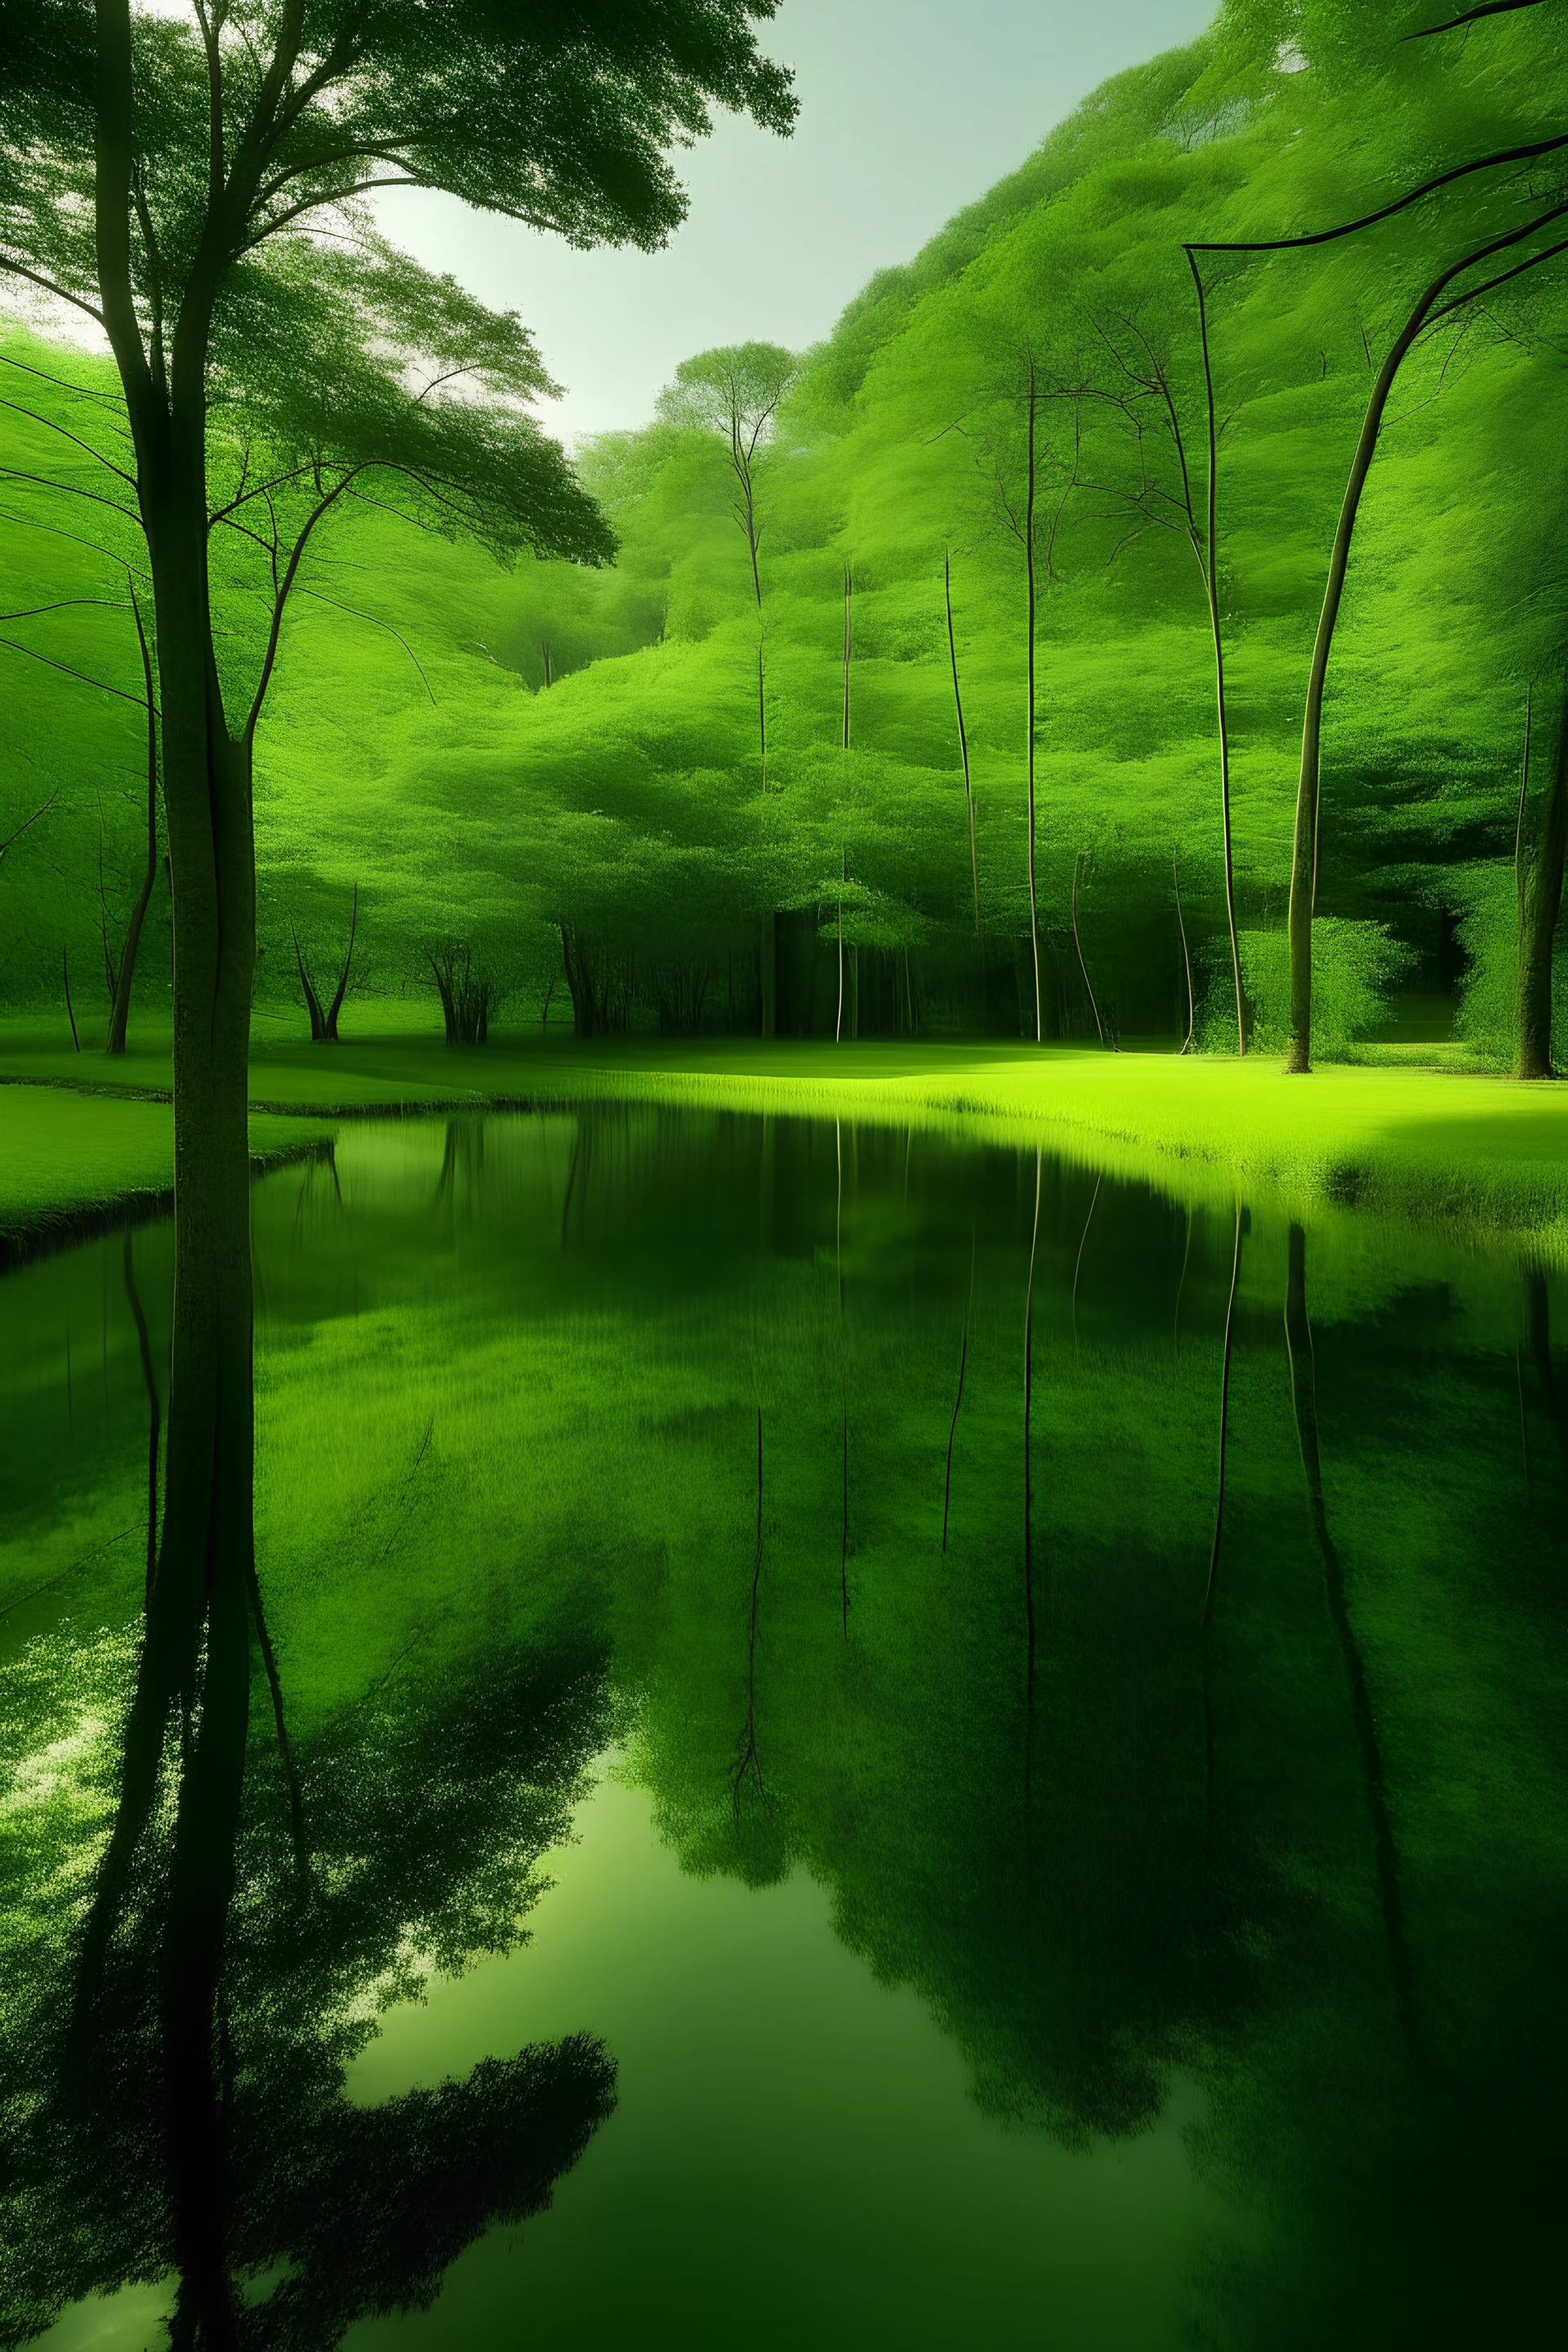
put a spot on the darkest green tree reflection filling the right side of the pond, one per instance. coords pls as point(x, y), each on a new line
point(1369, 1840)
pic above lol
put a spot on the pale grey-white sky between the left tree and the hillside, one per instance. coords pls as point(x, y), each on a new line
point(911, 109)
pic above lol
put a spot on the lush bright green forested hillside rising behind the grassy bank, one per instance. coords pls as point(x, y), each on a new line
point(772, 768)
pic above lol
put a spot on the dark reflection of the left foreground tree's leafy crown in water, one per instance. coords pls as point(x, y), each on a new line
point(427, 1815)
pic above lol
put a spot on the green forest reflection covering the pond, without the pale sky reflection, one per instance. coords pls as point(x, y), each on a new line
point(648, 1426)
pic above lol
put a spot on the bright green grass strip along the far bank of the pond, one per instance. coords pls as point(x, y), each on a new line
point(1416, 1137)
